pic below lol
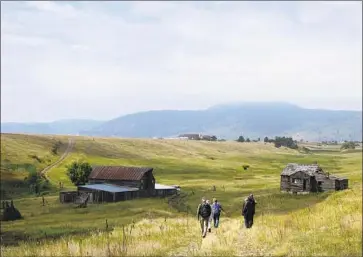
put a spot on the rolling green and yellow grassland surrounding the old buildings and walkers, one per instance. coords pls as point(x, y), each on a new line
point(330, 223)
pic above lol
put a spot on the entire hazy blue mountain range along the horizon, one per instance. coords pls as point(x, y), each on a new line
point(227, 121)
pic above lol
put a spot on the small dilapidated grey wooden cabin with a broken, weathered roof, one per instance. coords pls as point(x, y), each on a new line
point(298, 178)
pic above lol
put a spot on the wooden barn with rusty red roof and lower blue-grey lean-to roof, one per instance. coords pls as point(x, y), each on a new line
point(120, 183)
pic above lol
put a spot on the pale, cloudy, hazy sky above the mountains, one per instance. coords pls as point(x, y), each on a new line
point(103, 59)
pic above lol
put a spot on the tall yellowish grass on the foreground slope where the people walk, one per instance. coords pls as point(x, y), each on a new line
point(330, 228)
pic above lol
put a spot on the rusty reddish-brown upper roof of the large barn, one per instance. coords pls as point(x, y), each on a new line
point(118, 172)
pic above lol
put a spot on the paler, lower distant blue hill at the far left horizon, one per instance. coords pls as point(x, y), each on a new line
point(57, 127)
